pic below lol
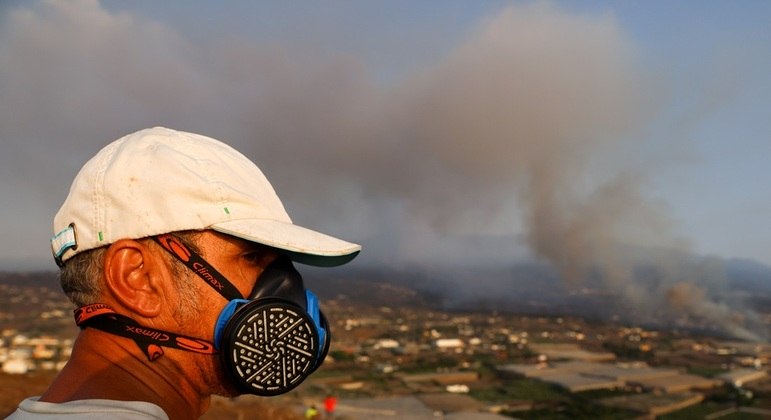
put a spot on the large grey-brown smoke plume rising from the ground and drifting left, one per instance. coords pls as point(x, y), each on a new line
point(530, 124)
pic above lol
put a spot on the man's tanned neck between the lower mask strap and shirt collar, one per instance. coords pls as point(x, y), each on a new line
point(103, 366)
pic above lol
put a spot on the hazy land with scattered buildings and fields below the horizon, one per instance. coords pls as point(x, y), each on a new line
point(419, 362)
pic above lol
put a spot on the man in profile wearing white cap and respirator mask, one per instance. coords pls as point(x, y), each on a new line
point(178, 255)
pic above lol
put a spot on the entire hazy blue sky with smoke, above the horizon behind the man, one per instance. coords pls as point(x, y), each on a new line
point(661, 119)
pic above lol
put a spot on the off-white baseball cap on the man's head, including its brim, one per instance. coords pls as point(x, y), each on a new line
point(160, 180)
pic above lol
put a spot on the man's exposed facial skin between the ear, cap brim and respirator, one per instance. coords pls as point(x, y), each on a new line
point(241, 262)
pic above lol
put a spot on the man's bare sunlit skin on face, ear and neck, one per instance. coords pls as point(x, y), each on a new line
point(137, 282)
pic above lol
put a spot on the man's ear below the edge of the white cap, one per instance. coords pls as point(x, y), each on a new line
point(133, 276)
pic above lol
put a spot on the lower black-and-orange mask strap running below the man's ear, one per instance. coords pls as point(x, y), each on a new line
point(149, 340)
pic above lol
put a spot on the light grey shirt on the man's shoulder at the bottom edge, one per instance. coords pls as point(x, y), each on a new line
point(31, 408)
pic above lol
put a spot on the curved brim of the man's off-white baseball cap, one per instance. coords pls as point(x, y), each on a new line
point(301, 244)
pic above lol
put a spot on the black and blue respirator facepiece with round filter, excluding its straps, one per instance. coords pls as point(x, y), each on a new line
point(271, 342)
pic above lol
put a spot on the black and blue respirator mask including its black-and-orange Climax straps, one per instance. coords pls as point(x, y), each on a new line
point(268, 342)
